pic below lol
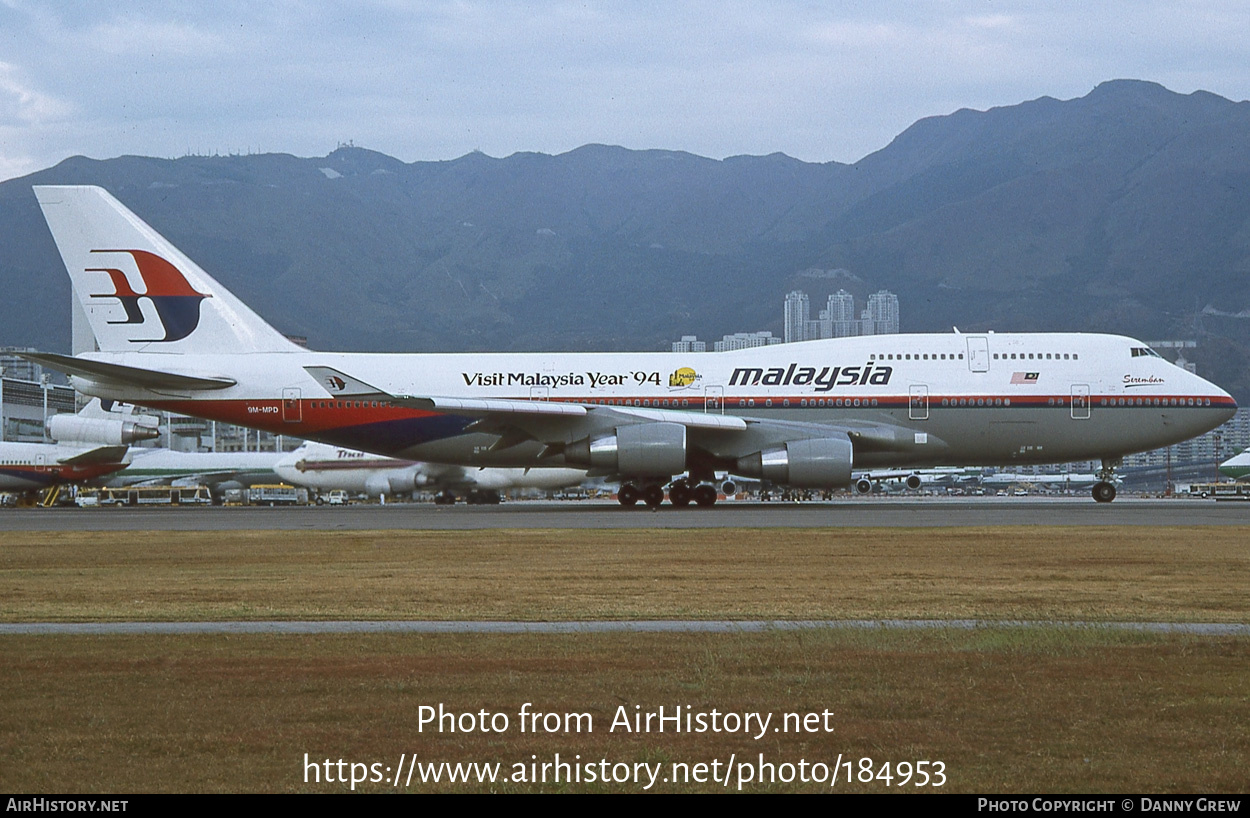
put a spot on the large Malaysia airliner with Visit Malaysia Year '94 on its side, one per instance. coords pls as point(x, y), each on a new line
point(797, 415)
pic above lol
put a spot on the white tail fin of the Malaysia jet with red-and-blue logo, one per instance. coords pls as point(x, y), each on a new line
point(138, 291)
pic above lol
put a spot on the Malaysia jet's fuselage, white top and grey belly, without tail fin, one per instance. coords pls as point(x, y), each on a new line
point(923, 401)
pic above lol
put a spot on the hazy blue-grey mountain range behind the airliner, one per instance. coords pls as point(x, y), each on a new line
point(1126, 211)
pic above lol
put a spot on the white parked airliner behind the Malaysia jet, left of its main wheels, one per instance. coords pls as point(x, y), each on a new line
point(327, 468)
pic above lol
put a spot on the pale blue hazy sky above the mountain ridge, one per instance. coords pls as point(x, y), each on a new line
point(436, 81)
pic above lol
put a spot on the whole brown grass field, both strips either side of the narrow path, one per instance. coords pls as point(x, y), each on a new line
point(1007, 710)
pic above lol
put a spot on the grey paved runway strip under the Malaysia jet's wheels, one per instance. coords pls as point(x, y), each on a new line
point(888, 513)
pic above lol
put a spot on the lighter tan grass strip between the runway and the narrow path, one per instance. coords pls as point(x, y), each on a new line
point(1177, 575)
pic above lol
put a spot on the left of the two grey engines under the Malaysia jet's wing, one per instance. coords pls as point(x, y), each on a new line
point(643, 450)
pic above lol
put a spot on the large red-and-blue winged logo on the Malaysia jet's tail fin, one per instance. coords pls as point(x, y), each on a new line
point(176, 301)
